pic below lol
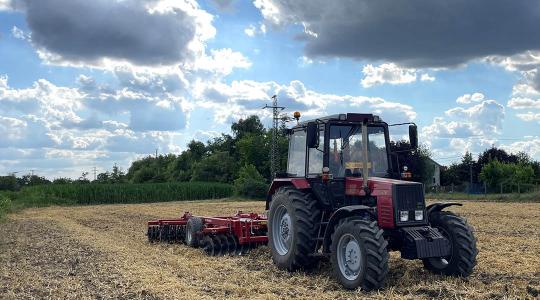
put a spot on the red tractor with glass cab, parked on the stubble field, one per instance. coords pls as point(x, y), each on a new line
point(340, 198)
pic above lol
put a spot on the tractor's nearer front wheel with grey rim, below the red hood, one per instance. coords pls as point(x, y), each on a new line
point(359, 255)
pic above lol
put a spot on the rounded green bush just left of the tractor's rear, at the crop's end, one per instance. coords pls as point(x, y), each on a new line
point(250, 183)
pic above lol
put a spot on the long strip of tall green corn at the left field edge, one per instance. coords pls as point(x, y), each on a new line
point(127, 193)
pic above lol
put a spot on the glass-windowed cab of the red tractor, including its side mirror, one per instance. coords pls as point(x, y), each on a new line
point(340, 146)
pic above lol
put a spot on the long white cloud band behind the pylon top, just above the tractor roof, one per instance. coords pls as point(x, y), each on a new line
point(241, 98)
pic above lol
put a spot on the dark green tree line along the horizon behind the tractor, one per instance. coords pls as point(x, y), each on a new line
point(242, 158)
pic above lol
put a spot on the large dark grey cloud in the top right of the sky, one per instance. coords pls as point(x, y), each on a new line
point(419, 33)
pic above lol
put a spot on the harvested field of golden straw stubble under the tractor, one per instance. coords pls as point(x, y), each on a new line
point(101, 252)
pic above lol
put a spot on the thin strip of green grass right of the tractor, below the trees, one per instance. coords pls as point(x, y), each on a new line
point(512, 197)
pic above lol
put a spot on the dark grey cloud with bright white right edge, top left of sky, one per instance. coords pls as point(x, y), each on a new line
point(139, 32)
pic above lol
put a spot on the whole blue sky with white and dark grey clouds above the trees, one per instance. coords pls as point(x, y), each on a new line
point(87, 84)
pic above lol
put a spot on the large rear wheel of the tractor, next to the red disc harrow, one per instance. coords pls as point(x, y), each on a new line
point(292, 228)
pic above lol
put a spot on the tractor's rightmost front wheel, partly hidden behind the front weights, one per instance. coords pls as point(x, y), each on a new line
point(462, 258)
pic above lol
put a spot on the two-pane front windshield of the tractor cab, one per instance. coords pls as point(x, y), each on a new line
point(346, 151)
